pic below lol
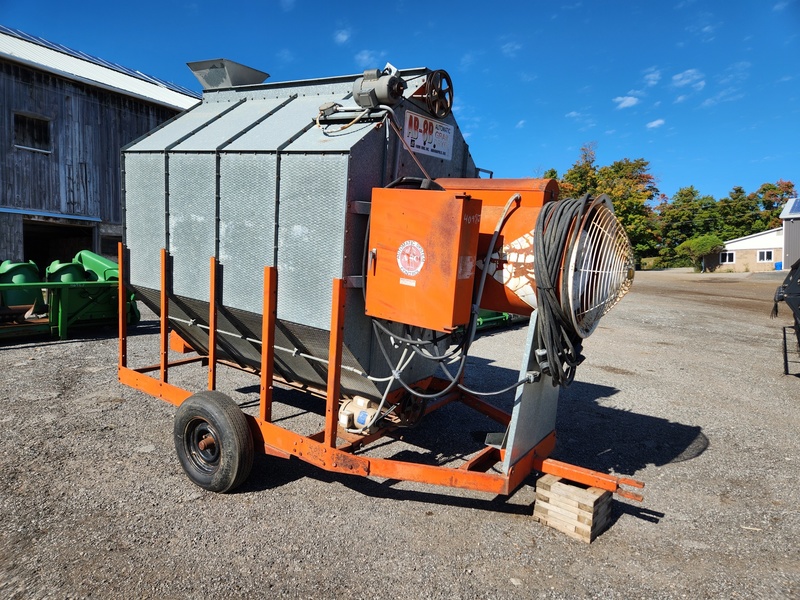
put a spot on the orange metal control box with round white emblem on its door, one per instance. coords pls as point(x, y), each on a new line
point(422, 249)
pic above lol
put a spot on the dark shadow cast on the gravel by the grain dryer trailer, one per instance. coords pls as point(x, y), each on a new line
point(590, 435)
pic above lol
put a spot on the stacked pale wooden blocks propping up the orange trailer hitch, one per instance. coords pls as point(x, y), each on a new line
point(581, 512)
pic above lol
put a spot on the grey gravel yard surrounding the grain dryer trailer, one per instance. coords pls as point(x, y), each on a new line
point(682, 388)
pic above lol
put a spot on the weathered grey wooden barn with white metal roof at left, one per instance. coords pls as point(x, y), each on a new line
point(64, 116)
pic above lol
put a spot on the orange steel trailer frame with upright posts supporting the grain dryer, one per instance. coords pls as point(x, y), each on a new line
point(324, 449)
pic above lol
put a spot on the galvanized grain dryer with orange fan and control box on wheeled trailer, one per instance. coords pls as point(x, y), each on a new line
point(334, 235)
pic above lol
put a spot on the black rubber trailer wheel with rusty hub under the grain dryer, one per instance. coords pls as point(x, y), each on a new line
point(213, 441)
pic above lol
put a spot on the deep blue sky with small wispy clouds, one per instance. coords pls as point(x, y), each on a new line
point(707, 91)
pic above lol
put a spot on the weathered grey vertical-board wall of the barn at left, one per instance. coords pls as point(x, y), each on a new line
point(80, 175)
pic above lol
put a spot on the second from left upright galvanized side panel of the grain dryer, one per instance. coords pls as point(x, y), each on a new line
point(192, 222)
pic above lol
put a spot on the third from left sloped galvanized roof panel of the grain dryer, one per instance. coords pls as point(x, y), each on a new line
point(276, 131)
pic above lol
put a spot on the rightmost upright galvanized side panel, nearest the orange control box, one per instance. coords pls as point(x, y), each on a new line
point(311, 231)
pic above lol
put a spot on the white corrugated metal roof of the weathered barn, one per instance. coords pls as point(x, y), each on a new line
point(33, 51)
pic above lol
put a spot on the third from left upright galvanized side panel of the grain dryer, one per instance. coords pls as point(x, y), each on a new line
point(247, 226)
